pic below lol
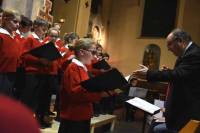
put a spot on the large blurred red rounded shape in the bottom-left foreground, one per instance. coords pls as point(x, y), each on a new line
point(16, 118)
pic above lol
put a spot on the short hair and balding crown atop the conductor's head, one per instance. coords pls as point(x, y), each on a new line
point(181, 36)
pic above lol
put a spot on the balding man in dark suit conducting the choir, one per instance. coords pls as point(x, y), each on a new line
point(183, 98)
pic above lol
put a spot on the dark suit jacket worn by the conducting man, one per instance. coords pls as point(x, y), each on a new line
point(183, 102)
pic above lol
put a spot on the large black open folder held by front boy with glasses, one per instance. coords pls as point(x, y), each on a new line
point(110, 80)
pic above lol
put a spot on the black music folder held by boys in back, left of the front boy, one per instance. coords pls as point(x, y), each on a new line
point(47, 51)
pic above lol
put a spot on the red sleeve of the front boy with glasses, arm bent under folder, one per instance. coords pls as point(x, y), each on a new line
point(76, 93)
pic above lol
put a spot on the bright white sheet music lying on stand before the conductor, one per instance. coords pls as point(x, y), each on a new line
point(144, 105)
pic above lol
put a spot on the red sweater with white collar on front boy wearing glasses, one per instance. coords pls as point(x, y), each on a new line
point(76, 102)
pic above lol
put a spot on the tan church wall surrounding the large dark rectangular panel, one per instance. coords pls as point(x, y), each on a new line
point(127, 48)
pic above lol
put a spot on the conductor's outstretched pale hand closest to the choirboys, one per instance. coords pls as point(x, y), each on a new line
point(141, 73)
